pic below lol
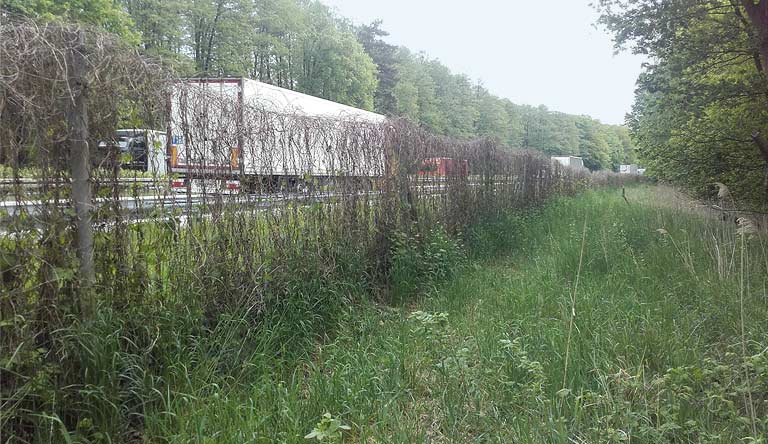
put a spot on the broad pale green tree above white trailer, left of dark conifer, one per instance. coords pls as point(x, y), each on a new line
point(303, 46)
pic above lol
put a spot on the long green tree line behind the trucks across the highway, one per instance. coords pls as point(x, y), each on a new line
point(305, 46)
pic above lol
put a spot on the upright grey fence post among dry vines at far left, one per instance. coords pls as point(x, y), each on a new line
point(77, 122)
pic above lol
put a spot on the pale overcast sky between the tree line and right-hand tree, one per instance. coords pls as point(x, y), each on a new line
point(530, 51)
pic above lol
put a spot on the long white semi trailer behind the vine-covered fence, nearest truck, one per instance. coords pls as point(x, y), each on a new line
point(228, 133)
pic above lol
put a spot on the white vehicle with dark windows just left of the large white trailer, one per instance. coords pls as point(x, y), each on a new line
point(140, 149)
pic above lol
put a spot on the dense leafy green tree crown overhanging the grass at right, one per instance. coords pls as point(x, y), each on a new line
point(702, 97)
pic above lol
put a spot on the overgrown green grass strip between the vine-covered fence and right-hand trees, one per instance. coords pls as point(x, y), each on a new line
point(589, 320)
